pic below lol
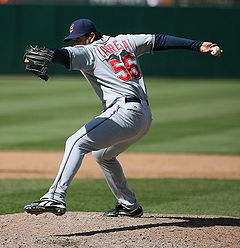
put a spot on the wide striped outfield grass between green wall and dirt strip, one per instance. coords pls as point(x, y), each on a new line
point(190, 116)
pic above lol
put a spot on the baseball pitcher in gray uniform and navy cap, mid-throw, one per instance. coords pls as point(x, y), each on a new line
point(111, 66)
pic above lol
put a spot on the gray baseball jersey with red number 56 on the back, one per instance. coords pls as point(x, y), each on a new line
point(111, 65)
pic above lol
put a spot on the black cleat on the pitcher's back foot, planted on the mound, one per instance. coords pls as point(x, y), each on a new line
point(120, 210)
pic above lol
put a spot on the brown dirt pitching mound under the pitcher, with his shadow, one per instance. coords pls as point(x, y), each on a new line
point(76, 229)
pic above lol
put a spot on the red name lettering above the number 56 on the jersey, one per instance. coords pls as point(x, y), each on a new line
point(113, 47)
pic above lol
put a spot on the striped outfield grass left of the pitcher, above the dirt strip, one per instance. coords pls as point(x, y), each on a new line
point(34, 111)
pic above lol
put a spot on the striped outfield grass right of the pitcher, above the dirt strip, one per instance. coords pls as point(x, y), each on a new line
point(197, 122)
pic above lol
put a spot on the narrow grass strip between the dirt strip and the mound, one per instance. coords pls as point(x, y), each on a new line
point(165, 196)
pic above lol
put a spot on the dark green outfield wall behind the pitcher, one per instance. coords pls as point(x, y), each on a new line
point(47, 25)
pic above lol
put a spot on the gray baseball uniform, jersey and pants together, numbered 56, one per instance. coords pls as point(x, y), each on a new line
point(112, 68)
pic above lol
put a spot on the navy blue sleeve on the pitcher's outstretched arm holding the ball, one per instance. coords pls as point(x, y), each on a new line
point(164, 42)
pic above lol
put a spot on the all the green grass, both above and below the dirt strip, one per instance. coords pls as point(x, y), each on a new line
point(189, 116)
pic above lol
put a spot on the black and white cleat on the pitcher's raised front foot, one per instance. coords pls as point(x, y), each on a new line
point(46, 205)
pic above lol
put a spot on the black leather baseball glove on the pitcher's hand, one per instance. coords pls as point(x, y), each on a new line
point(37, 60)
